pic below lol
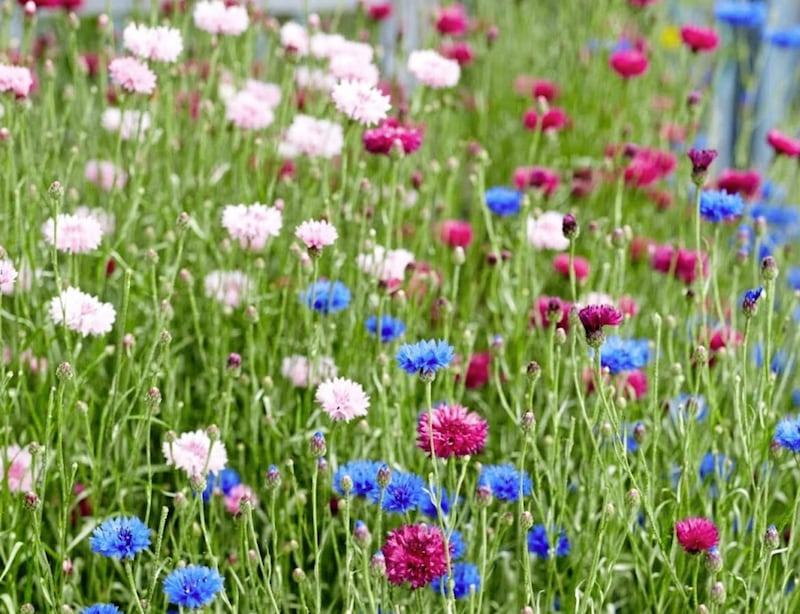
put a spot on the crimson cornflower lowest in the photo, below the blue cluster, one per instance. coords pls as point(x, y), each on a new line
point(414, 554)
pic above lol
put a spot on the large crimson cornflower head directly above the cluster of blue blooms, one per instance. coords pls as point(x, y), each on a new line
point(456, 431)
